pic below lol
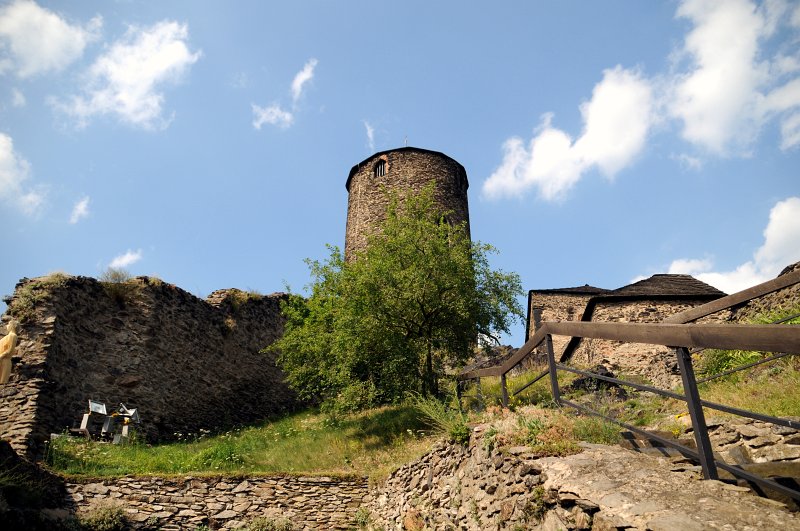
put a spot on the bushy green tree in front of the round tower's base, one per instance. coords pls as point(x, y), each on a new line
point(414, 302)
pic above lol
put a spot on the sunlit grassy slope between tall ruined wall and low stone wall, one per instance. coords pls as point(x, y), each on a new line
point(367, 444)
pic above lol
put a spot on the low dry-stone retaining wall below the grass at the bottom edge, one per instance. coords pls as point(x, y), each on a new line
point(225, 503)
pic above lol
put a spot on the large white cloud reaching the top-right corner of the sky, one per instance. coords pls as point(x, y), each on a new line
point(727, 95)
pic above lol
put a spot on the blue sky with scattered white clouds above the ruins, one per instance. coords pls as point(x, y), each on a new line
point(208, 143)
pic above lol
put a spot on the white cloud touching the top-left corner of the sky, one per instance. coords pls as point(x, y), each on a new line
point(36, 40)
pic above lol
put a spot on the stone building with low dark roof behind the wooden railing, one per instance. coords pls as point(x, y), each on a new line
point(647, 301)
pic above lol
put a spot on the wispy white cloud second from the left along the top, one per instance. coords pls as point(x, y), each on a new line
point(127, 80)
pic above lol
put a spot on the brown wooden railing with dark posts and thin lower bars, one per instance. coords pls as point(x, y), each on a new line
point(674, 332)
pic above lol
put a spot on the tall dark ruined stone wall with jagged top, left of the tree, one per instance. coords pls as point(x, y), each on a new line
point(184, 362)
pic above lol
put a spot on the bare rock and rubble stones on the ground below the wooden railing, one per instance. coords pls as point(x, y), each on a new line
point(603, 487)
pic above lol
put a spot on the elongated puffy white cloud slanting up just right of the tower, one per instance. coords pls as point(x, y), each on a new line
point(616, 122)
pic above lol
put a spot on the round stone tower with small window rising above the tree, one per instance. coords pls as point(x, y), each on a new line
point(404, 170)
